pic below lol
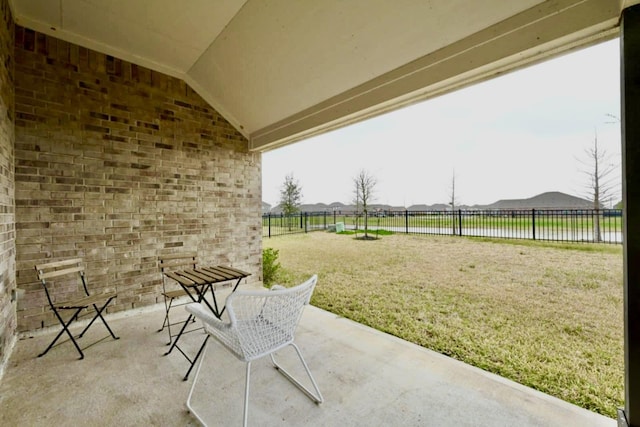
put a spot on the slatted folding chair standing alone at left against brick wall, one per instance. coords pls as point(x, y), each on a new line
point(70, 267)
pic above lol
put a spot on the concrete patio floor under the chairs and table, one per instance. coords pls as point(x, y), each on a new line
point(368, 378)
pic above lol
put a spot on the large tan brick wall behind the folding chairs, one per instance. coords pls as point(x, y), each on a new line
point(117, 163)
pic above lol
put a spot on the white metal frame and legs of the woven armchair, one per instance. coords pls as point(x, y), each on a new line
point(221, 331)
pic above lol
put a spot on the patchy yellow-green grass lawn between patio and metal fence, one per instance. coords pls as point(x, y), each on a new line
point(546, 315)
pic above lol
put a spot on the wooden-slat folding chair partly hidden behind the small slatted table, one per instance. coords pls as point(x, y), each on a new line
point(167, 263)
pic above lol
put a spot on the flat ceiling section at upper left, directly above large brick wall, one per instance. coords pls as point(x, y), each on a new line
point(165, 35)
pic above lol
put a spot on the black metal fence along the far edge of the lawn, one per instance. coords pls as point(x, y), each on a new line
point(559, 225)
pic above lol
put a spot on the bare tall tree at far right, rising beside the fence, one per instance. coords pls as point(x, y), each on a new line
point(601, 184)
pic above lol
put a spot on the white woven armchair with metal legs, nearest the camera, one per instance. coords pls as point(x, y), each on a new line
point(260, 323)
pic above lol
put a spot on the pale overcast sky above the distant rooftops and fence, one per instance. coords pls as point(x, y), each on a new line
point(515, 136)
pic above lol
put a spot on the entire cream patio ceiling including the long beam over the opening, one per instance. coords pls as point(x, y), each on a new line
point(284, 70)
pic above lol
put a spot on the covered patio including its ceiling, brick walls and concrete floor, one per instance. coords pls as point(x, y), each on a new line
point(132, 130)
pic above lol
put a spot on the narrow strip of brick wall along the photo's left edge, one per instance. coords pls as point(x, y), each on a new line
point(7, 206)
